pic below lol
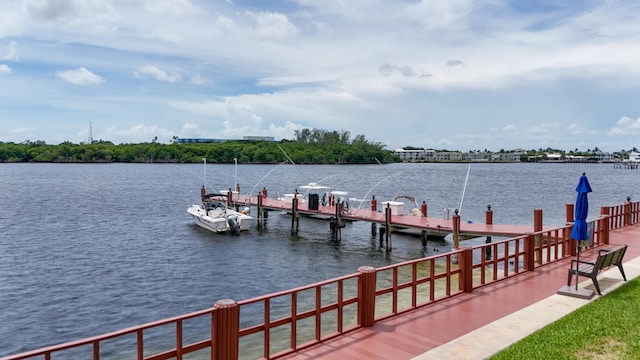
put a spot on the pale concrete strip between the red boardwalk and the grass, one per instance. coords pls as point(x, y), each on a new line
point(492, 338)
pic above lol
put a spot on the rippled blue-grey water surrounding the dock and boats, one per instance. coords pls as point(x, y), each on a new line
point(88, 249)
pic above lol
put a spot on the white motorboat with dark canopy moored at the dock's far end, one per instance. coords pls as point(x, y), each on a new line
point(214, 215)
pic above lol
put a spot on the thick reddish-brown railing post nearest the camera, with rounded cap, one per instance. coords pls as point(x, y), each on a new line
point(225, 327)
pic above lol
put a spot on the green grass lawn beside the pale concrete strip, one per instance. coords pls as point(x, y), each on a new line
point(605, 329)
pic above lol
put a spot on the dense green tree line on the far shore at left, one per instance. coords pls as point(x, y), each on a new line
point(309, 147)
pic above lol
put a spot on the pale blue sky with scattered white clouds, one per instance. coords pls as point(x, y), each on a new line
point(455, 74)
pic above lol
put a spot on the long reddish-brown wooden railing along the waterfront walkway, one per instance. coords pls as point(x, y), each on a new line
point(278, 324)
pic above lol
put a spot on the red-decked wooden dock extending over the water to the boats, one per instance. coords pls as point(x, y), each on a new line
point(429, 226)
